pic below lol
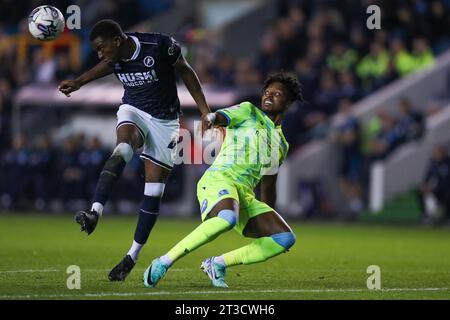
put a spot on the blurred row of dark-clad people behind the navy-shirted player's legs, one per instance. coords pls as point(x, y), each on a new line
point(59, 176)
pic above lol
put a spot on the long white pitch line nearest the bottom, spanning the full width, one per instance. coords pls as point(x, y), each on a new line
point(168, 293)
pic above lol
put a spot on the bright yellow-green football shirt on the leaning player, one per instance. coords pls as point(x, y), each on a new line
point(253, 145)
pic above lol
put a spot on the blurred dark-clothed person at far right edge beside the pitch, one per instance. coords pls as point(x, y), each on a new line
point(434, 190)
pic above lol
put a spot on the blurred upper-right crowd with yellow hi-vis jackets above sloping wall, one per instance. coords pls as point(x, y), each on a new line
point(343, 60)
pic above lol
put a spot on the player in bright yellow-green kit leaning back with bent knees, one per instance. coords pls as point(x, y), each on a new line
point(253, 149)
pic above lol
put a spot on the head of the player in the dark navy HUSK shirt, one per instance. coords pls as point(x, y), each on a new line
point(106, 38)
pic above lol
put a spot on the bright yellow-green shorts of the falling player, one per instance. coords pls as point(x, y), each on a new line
point(215, 186)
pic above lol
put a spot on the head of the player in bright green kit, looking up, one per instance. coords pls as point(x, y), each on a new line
point(280, 90)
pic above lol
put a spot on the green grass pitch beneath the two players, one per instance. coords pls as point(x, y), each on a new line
point(329, 261)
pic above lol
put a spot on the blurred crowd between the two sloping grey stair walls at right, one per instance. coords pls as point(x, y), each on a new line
point(362, 144)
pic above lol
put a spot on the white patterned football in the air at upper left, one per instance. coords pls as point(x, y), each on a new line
point(46, 23)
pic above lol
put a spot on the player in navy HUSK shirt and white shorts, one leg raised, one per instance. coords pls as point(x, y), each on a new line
point(146, 64)
